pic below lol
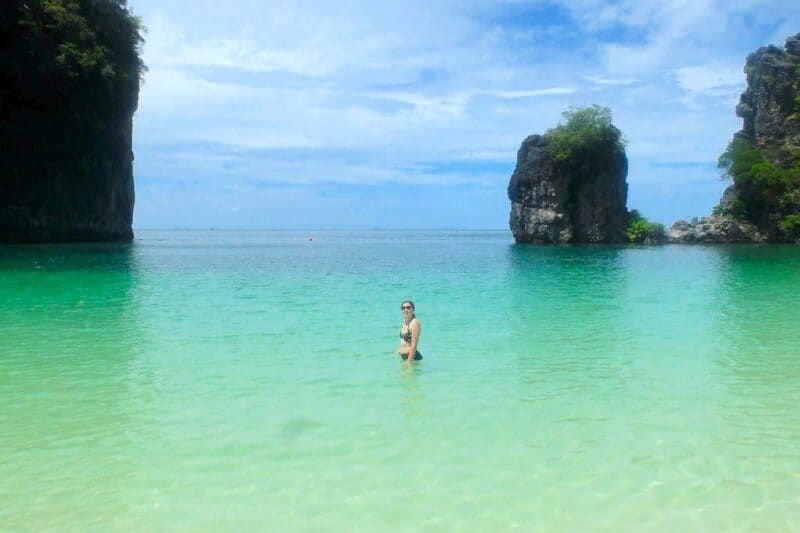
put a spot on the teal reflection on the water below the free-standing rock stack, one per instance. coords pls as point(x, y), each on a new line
point(564, 312)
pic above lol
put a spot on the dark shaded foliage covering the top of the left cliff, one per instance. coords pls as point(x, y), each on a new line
point(54, 48)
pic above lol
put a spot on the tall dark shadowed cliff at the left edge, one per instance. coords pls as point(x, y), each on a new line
point(69, 82)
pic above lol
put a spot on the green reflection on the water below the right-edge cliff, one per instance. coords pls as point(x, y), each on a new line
point(751, 376)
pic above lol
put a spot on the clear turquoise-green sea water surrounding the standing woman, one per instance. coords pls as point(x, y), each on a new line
point(247, 380)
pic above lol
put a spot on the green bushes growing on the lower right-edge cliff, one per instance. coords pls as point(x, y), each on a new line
point(768, 195)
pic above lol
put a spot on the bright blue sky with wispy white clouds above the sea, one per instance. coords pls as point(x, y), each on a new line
point(409, 114)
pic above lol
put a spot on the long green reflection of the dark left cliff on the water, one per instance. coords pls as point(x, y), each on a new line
point(69, 340)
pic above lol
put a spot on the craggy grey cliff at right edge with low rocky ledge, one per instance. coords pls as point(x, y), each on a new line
point(763, 159)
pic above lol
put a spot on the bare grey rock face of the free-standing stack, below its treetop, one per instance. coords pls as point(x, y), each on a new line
point(583, 202)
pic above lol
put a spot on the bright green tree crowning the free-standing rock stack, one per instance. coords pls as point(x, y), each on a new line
point(586, 131)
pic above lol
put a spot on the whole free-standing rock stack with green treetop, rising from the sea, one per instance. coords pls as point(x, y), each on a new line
point(569, 185)
